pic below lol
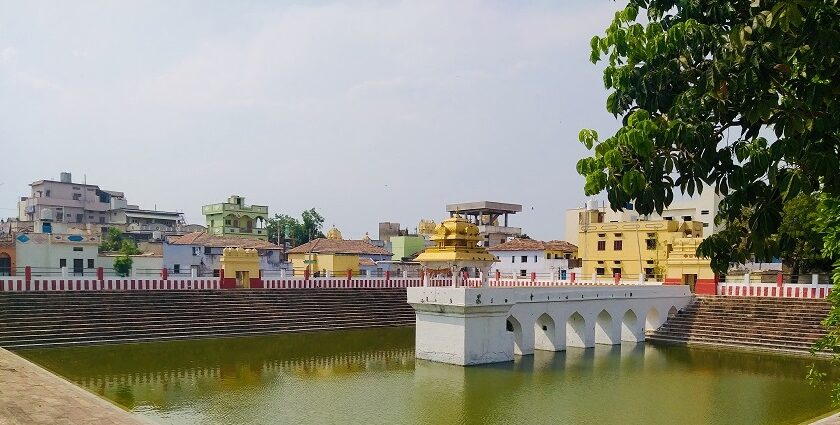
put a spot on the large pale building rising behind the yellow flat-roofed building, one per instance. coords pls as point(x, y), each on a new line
point(702, 208)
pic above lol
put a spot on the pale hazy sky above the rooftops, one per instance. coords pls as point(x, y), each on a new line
point(367, 111)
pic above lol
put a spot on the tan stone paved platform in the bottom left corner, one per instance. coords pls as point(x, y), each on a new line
point(32, 395)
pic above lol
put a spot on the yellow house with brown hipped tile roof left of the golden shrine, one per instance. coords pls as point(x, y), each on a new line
point(337, 256)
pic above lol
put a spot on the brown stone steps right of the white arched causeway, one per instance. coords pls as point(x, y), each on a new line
point(774, 324)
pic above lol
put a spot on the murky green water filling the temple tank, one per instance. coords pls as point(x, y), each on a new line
point(371, 377)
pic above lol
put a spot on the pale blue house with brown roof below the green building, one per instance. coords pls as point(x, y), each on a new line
point(200, 253)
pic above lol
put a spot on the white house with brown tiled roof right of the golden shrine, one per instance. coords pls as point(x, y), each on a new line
point(519, 258)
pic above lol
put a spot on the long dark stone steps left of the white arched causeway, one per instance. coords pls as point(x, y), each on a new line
point(30, 320)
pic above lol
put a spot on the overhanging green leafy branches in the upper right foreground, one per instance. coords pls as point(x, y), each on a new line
point(739, 95)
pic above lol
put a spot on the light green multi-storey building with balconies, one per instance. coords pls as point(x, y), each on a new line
point(235, 218)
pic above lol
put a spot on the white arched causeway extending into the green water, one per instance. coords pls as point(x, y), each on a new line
point(468, 326)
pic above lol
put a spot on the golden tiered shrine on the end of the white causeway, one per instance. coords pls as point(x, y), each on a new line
point(456, 251)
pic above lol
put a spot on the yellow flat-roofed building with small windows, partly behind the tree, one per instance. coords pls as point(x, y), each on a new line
point(632, 248)
